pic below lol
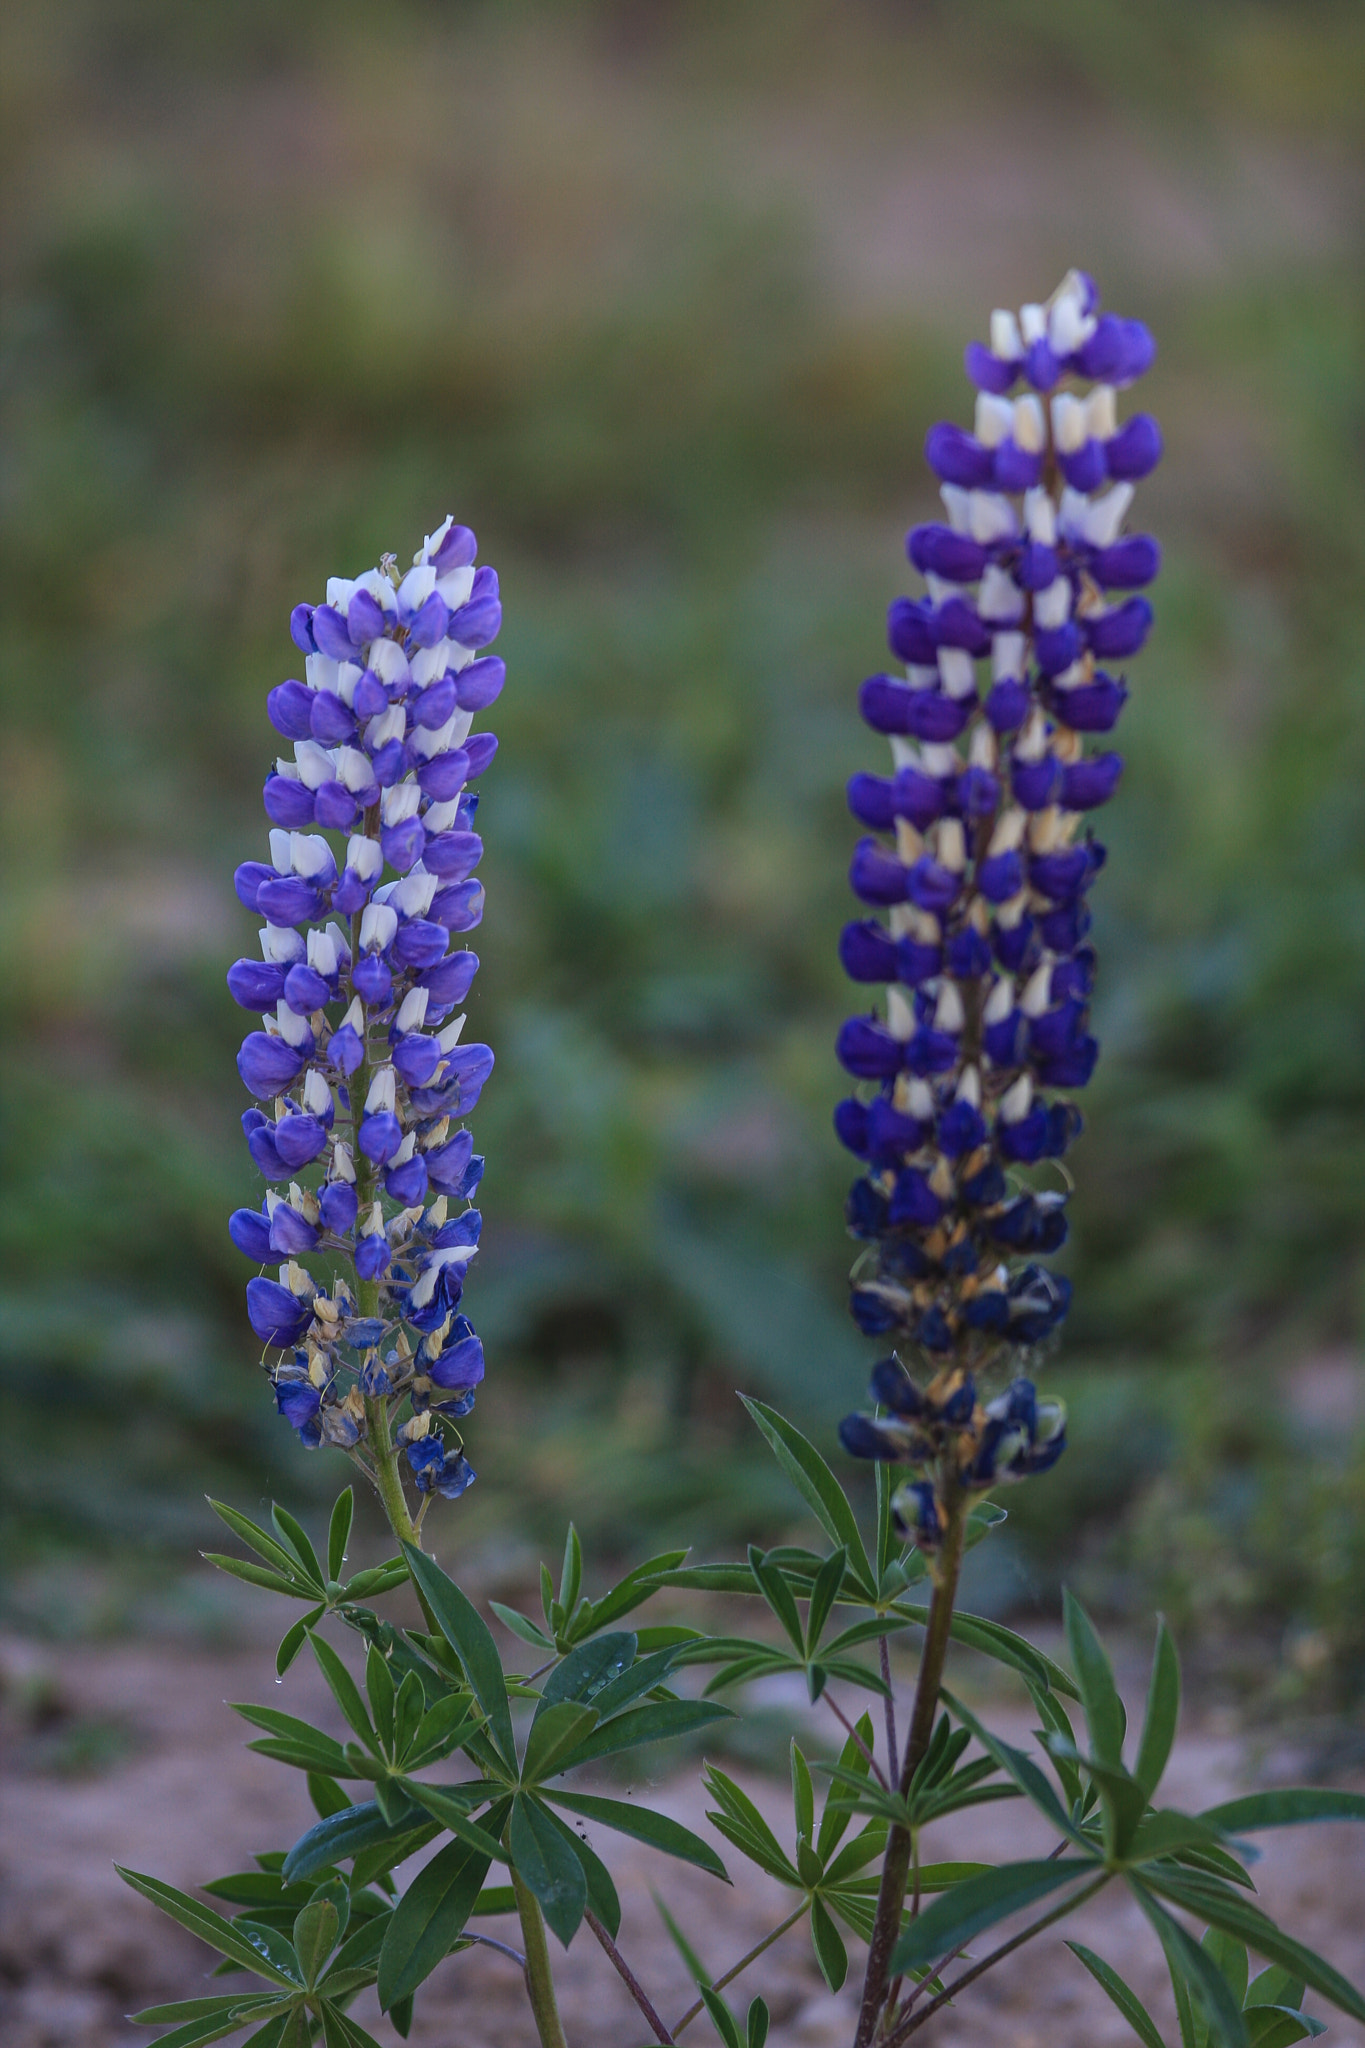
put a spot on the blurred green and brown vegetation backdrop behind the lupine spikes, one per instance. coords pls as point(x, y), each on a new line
point(662, 298)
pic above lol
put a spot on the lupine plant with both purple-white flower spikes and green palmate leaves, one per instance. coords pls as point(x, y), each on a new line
point(977, 865)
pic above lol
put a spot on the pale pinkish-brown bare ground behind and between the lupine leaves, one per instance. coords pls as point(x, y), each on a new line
point(187, 1801)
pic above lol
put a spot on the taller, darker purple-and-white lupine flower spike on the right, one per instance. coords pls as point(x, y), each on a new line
point(979, 855)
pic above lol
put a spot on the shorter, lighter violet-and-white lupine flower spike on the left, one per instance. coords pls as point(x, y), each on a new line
point(361, 1058)
